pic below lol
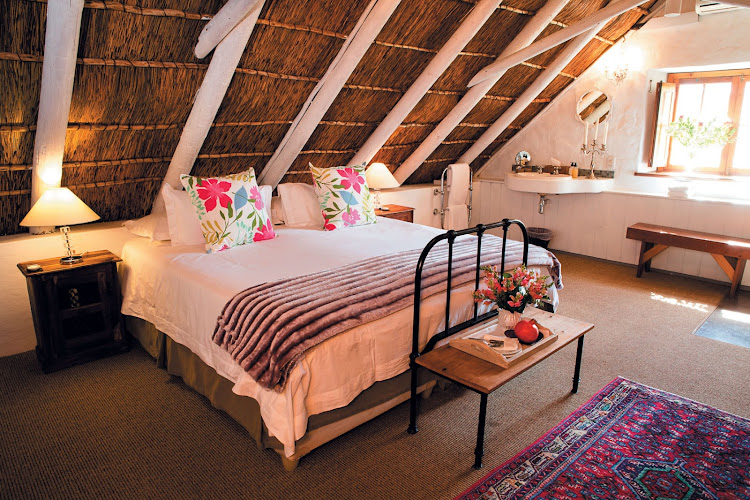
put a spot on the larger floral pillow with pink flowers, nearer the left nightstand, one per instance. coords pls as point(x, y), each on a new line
point(230, 210)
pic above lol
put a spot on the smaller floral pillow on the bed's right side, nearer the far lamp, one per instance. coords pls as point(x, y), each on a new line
point(343, 195)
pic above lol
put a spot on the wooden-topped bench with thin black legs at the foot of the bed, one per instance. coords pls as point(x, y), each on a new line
point(485, 378)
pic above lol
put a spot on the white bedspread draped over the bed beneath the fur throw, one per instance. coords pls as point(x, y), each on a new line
point(182, 290)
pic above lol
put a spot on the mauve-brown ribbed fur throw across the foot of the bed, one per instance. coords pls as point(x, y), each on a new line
point(267, 328)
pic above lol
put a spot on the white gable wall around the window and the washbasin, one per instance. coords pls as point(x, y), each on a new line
point(595, 224)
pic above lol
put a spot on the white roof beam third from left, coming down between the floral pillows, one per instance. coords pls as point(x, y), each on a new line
point(325, 92)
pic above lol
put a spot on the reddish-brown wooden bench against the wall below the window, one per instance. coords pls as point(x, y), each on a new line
point(655, 239)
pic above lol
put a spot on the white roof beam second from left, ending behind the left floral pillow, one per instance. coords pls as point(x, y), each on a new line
point(208, 100)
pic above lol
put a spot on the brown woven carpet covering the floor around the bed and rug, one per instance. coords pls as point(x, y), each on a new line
point(121, 428)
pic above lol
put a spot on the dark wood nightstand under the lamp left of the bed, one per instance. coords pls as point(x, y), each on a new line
point(76, 309)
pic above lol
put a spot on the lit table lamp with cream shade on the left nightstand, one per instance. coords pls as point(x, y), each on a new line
point(60, 207)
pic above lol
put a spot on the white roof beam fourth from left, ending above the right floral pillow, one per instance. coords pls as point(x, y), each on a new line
point(442, 60)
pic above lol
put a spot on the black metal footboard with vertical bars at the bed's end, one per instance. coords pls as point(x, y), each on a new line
point(451, 236)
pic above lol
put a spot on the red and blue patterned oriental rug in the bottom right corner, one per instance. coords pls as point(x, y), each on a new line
point(631, 441)
